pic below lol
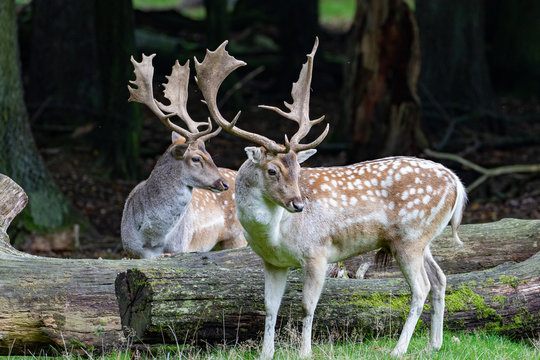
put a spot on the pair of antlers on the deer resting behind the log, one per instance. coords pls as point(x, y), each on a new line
point(176, 91)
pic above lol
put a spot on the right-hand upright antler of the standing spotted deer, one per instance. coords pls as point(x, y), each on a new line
point(299, 109)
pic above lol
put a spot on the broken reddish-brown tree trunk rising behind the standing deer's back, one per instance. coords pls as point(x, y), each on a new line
point(381, 103)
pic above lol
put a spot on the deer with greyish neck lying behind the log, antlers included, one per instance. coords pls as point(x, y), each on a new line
point(183, 206)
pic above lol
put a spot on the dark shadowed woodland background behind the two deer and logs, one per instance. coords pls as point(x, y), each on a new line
point(392, 77)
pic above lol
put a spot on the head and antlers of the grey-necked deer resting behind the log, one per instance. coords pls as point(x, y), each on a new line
point(186, 159)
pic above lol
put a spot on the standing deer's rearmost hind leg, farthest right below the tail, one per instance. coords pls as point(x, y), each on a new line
point(437, 279)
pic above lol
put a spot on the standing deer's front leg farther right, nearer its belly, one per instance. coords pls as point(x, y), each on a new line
point(315, 269)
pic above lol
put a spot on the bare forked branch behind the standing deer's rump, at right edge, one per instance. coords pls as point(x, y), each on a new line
point(486, 173)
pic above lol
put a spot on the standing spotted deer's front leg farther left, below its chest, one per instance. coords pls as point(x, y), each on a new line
point(275, 280)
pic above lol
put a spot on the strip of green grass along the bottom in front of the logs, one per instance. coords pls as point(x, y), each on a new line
point(457, 345)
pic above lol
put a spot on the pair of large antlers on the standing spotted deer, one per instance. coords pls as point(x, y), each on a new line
point(218, 64)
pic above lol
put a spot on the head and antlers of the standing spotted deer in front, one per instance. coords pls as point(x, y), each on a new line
point(278, 165)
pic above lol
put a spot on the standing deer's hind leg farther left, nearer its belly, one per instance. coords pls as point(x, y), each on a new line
point(410, 261)
